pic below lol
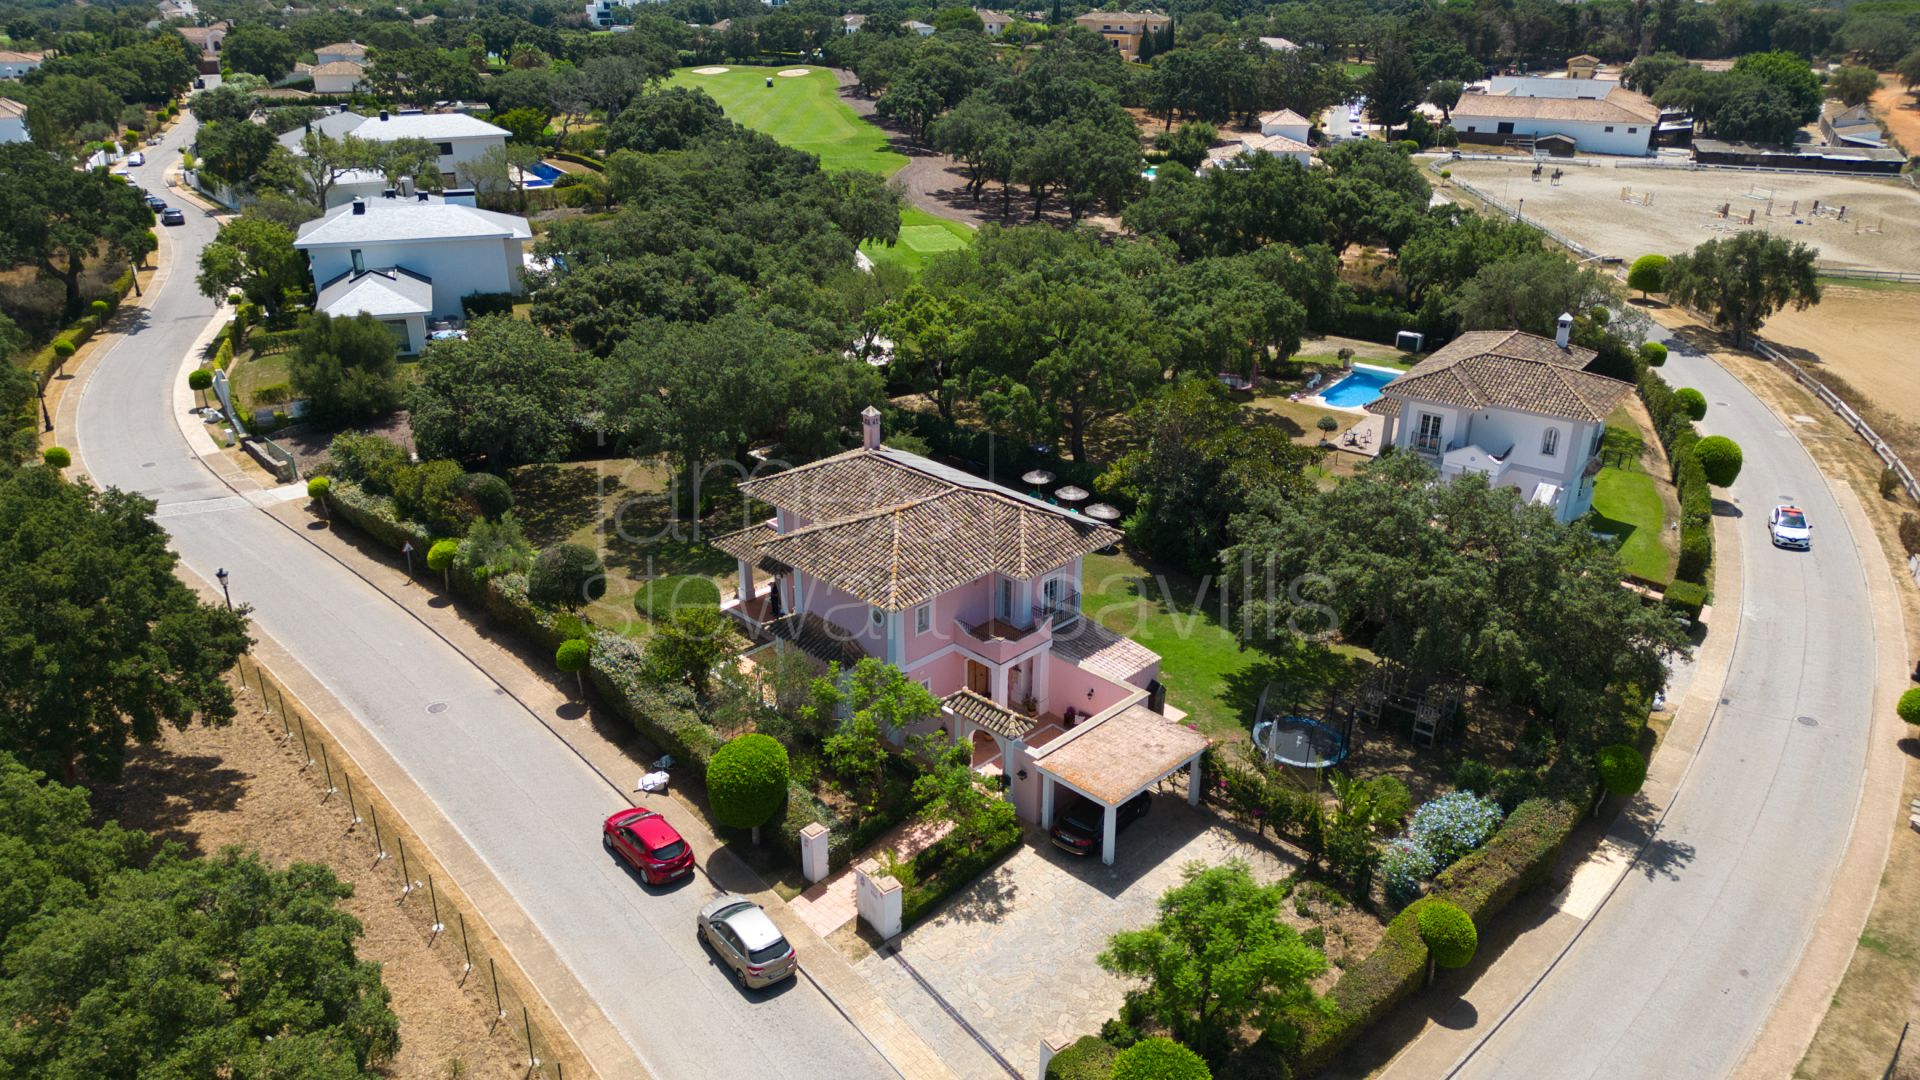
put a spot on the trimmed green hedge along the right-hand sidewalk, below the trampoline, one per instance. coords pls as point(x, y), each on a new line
point(1516, 860)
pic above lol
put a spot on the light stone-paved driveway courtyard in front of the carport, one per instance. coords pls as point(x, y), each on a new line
point(1015, 954)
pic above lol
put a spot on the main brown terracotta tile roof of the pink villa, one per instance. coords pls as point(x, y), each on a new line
point(896, 529)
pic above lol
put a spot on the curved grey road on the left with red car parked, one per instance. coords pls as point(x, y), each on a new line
point(521, 798)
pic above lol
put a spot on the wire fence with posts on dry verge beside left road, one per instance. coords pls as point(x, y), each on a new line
point(458, 935)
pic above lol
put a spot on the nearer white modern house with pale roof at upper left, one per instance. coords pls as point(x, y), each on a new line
point(408, 262)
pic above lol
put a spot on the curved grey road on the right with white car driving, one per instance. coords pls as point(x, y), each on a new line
point(1679, 971)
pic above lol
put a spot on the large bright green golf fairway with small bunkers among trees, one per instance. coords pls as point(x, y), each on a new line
point(804, 112)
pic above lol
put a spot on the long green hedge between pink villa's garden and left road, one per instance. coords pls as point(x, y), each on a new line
point(661, 716)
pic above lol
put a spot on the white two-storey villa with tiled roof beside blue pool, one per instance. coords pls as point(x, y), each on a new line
point(1514, 406)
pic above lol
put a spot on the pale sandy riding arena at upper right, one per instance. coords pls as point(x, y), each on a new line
point(1633, 212)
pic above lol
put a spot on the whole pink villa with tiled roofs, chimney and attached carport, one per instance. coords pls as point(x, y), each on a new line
point(974, 591)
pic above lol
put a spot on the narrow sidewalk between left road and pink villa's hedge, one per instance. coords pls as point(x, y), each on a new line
point(608, 745)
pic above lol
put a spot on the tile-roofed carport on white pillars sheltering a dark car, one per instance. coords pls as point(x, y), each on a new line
point(1116, 760)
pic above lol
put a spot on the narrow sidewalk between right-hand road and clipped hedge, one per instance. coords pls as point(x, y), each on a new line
point(1506, 973)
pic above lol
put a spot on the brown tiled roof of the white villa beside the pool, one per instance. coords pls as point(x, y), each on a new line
point(1516, 372)
